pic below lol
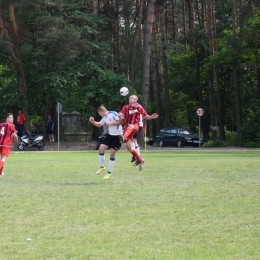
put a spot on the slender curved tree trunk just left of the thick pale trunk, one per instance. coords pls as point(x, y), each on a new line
point(134, 42)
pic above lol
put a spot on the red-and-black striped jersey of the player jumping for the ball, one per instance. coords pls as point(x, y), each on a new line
point(132, 114)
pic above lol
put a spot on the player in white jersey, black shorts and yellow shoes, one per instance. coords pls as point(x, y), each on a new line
point(111, 140)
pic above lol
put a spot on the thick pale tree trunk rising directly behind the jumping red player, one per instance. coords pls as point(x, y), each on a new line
point(147, 52)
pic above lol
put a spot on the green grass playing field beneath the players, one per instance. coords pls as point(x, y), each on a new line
point(183, 205)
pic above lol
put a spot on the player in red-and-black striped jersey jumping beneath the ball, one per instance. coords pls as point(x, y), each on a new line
point(130, 115)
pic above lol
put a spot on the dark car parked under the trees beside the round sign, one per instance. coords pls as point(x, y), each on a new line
point(178, 136)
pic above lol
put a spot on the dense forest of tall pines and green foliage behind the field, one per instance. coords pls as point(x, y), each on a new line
point(176, 55)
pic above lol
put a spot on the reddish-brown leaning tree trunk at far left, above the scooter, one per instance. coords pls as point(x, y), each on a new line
point(22, 87)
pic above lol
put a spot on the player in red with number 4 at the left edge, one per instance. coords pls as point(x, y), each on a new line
point(7, 134)
